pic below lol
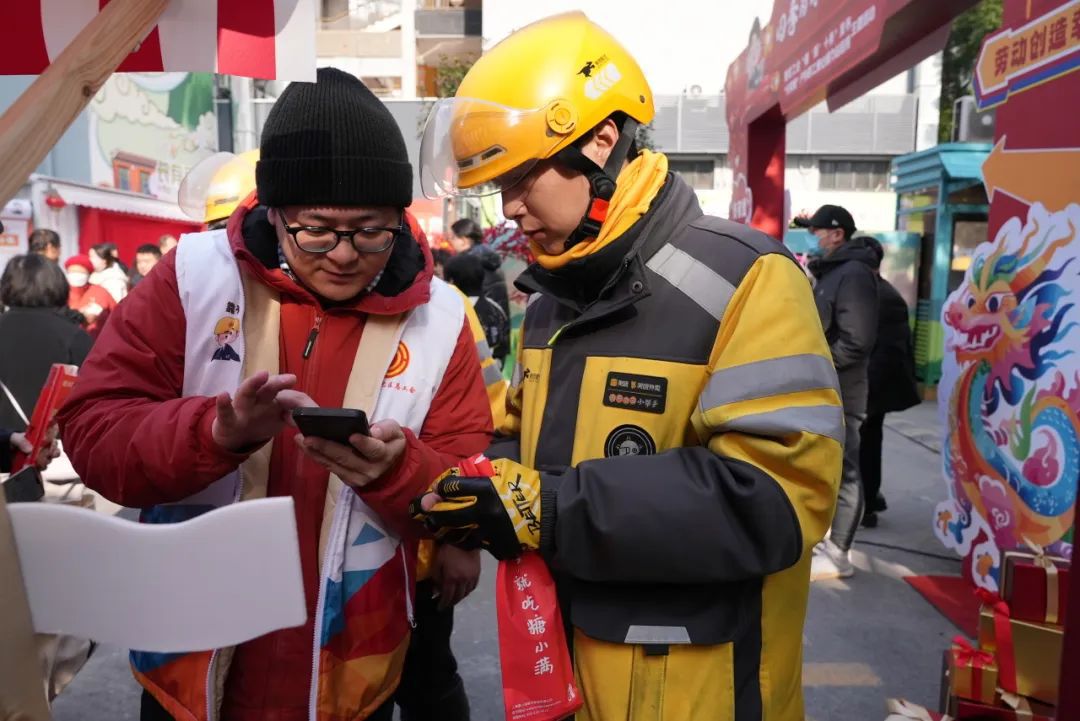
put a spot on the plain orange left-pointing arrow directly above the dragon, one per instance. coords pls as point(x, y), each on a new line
point(1050, 176)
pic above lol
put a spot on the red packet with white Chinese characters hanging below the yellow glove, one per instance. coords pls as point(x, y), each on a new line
point(537, 674)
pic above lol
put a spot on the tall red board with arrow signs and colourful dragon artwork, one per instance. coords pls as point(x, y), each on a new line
point(1009, 400)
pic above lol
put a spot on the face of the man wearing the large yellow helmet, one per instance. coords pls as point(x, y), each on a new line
point(548, 206)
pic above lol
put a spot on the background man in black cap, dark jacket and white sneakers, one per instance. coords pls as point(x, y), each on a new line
point(846, 293)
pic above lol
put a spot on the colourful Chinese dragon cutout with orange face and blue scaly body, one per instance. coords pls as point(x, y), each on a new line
point(1011, 394)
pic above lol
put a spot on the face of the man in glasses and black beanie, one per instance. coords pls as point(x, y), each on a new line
point(343, 274)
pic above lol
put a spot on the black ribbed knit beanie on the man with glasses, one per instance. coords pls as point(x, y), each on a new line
point(333, 143)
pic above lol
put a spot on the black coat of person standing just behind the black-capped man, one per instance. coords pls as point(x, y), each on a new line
point(892, 376)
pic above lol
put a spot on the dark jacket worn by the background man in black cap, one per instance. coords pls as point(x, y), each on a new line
point(847, 298)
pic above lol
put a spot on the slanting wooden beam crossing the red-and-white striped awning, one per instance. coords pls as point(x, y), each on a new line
point(37, 120)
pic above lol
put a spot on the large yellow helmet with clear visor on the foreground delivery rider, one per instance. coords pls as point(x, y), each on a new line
point(530, 99)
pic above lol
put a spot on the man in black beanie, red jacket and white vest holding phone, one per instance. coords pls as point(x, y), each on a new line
point(327, 297)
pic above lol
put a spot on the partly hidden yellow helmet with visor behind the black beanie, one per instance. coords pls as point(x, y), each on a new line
point(218, 185)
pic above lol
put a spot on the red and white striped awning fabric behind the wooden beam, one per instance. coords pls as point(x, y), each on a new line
point(272, 39)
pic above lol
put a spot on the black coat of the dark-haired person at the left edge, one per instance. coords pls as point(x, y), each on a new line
point(33, 339)
